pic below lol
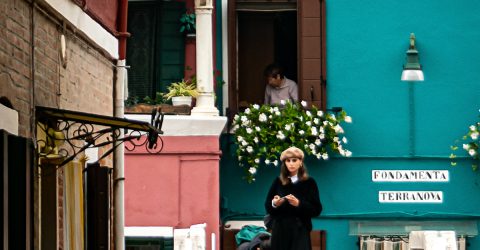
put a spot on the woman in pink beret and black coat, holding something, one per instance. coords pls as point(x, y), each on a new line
point(292, 201)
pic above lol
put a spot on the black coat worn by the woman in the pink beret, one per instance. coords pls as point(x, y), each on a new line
point(292, 225)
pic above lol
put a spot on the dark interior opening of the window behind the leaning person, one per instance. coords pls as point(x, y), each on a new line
point(263, 38)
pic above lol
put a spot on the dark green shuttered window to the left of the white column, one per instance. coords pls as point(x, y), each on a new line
point(156, 48)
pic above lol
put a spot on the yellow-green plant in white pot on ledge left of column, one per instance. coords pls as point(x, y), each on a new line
point(182, 92)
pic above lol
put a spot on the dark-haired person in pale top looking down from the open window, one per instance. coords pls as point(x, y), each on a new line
point(278, 86)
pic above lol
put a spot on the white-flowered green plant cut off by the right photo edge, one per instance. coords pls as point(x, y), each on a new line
point(470, 145)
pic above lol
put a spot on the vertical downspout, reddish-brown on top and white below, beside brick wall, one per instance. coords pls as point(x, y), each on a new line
point(119, 96)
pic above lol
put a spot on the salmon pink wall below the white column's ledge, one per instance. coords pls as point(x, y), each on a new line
point(178, 187)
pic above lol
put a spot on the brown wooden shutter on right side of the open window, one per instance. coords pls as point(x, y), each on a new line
point(311, 52)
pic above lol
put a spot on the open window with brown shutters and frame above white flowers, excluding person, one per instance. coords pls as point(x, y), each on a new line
point(291, 33)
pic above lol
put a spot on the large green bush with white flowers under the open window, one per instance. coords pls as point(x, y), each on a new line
point(263, 132)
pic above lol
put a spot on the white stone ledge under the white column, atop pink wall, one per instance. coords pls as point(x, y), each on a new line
point(187, 125)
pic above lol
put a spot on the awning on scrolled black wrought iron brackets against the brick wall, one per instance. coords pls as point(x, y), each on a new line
point(63, 134)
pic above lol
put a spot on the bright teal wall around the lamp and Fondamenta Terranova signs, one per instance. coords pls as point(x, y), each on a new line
point(396, 125)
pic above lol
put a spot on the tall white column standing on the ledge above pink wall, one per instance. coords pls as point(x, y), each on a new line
point(205, 104)
